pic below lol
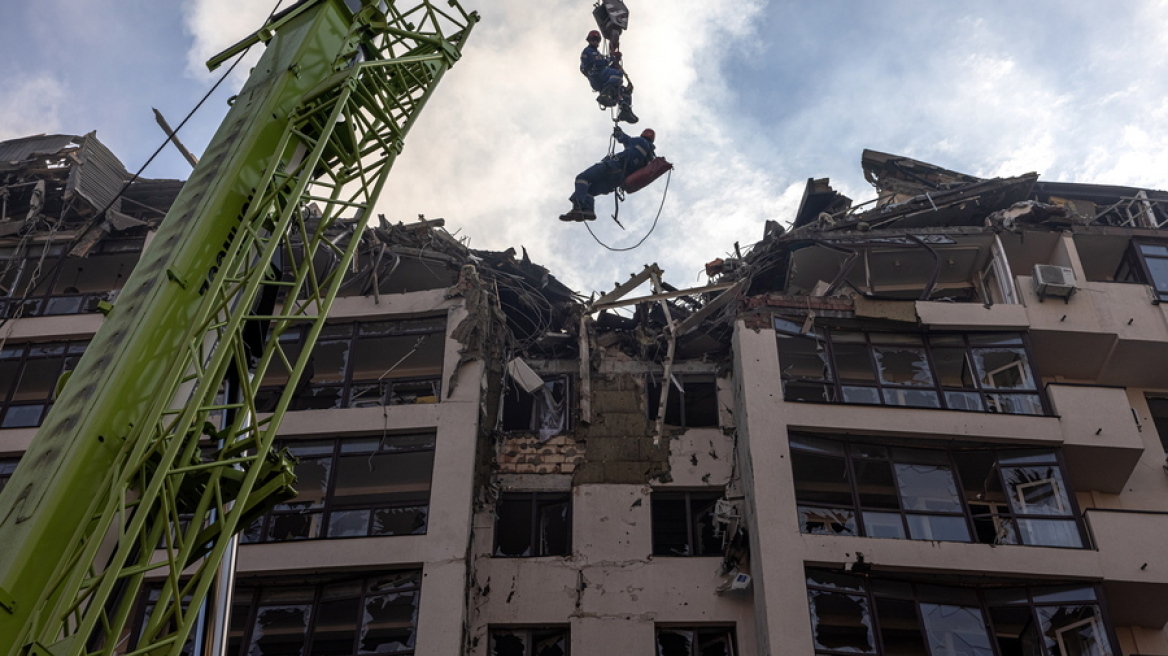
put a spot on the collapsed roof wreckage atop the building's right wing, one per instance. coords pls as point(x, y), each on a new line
point(931, 235)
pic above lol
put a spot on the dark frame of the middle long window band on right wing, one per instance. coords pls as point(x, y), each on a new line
point(1019, 522)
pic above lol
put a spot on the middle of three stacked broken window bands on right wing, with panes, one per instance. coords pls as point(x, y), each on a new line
point(970, 494)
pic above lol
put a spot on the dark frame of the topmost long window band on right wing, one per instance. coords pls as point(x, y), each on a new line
point(829, 343)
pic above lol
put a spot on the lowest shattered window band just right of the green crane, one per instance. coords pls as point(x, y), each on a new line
point(311, 616)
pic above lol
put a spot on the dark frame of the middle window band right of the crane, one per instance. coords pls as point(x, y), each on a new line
point(266, 524)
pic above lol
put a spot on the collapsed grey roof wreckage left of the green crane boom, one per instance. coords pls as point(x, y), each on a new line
point(74, 189)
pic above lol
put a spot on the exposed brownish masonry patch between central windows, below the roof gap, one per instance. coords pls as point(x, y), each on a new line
point(620, 441)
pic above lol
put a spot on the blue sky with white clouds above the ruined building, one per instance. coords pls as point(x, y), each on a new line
point(749, 100)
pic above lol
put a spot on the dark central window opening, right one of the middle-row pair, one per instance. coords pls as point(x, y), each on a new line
point(684, 525)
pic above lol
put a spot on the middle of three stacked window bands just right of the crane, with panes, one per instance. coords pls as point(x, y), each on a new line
point(354, 487)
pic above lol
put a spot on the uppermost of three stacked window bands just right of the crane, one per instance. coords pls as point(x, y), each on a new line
point(364, 365)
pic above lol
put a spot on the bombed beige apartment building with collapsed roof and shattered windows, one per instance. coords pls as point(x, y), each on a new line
point(933, 424)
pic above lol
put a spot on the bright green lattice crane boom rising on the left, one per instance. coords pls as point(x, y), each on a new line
point(147, 467)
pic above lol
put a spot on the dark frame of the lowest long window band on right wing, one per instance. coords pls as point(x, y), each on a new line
point(866, 588)
